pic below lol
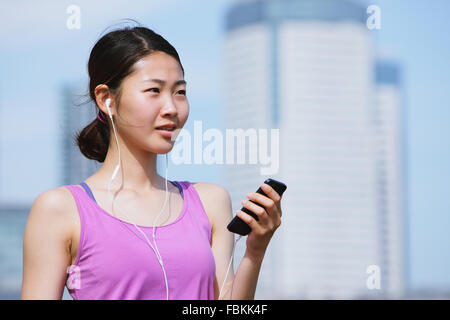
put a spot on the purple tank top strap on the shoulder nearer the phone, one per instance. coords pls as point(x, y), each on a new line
point(196, 208)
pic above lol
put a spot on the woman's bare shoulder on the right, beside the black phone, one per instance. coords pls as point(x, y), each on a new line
point(216, 201)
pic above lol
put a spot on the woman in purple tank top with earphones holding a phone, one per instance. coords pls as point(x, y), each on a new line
point(116, 242)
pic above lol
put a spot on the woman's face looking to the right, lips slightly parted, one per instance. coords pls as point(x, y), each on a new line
point(146, 104)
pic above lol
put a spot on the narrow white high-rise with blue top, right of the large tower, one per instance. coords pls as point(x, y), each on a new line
point(390, 117)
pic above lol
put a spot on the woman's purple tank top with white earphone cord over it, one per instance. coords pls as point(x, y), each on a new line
point(114, 261)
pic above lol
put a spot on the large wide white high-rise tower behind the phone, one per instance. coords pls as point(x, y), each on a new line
point(306, 67)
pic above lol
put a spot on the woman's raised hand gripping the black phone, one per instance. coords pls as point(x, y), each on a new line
point(269, 219)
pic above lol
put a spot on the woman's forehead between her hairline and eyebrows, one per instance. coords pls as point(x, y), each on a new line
point(157, 65)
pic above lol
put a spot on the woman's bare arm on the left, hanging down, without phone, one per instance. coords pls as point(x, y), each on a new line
point(46, 247)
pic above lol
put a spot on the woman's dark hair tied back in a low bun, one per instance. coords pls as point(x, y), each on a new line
point(111, 60)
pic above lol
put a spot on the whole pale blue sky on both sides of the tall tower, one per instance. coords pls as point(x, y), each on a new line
point(38, 54)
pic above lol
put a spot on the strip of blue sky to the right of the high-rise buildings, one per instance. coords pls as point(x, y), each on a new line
point(416, 34)
